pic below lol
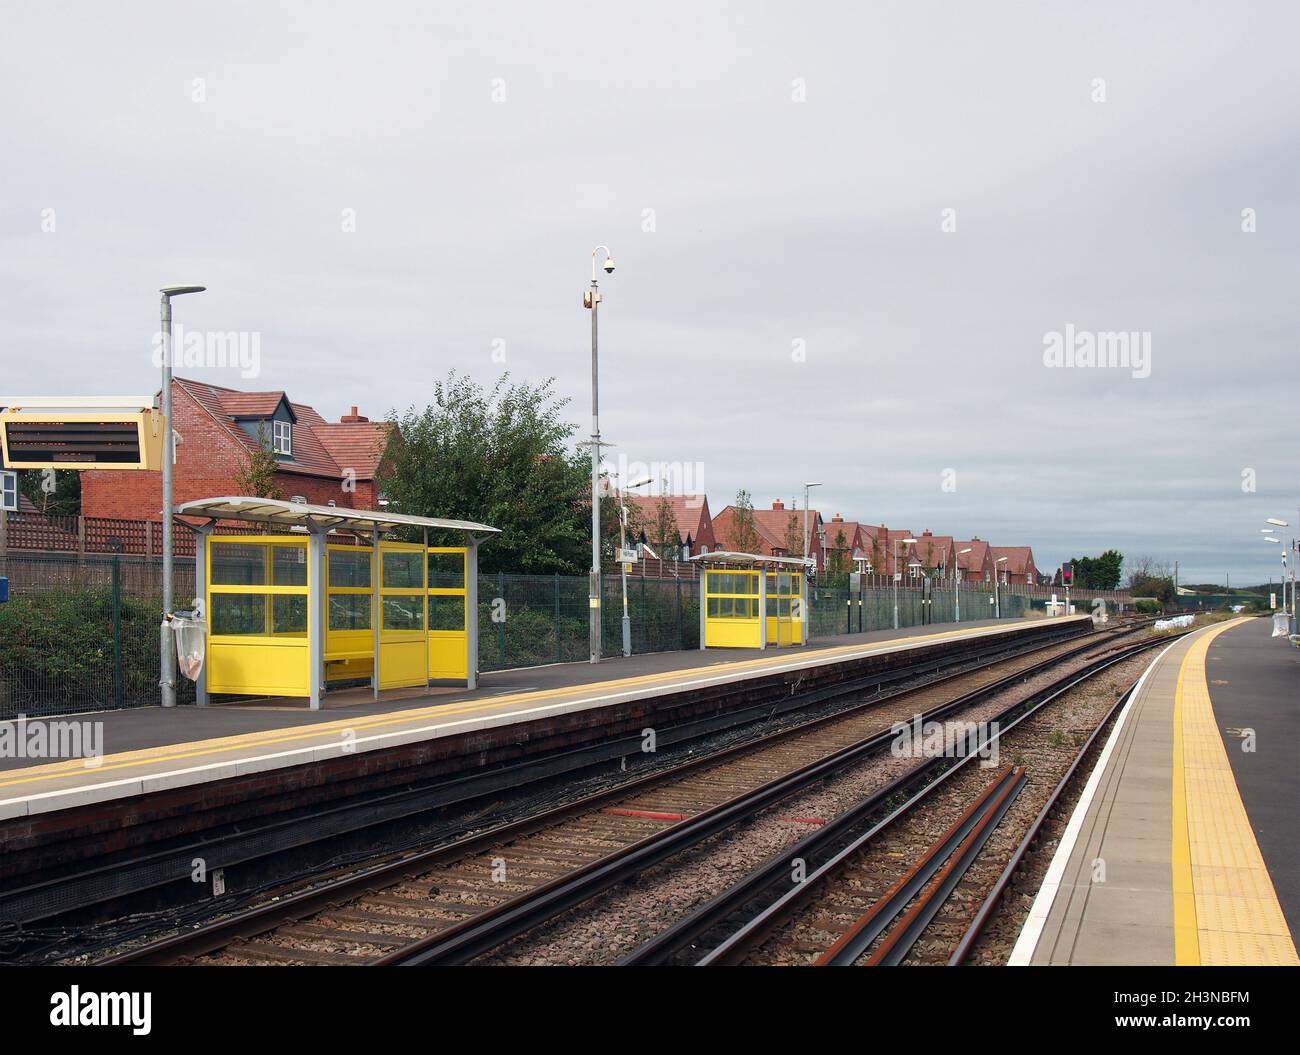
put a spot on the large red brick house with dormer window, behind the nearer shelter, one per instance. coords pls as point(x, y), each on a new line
point(218, 429)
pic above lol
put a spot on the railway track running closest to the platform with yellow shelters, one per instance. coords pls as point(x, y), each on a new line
point(457, 902)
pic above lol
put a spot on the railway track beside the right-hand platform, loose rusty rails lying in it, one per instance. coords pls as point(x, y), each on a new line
point(881, 883)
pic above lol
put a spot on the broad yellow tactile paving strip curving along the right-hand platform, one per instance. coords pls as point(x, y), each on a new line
point(1237, 919)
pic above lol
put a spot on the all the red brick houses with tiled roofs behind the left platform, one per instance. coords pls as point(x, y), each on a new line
point(339, 462)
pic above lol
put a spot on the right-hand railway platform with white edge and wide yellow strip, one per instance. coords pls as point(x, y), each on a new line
point(1182, 848)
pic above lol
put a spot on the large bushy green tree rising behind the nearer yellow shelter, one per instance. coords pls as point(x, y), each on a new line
point(500, 457)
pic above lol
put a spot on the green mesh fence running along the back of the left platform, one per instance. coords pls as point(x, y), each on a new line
point(81, 635)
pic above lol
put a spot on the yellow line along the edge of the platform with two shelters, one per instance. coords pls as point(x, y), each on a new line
point(356, 726)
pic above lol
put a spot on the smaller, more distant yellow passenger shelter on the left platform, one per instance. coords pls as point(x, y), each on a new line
point(751, 601)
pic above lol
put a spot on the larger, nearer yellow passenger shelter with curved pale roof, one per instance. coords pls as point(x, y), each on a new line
point(323, 596)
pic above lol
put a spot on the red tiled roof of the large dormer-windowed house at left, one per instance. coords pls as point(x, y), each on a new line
point(322, 449)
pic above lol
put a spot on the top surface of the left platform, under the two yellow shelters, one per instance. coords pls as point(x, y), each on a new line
point(151, 750)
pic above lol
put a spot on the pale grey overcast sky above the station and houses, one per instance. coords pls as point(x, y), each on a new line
point(792, 309)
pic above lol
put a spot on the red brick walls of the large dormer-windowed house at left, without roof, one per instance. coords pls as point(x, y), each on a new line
point(206, 466)
